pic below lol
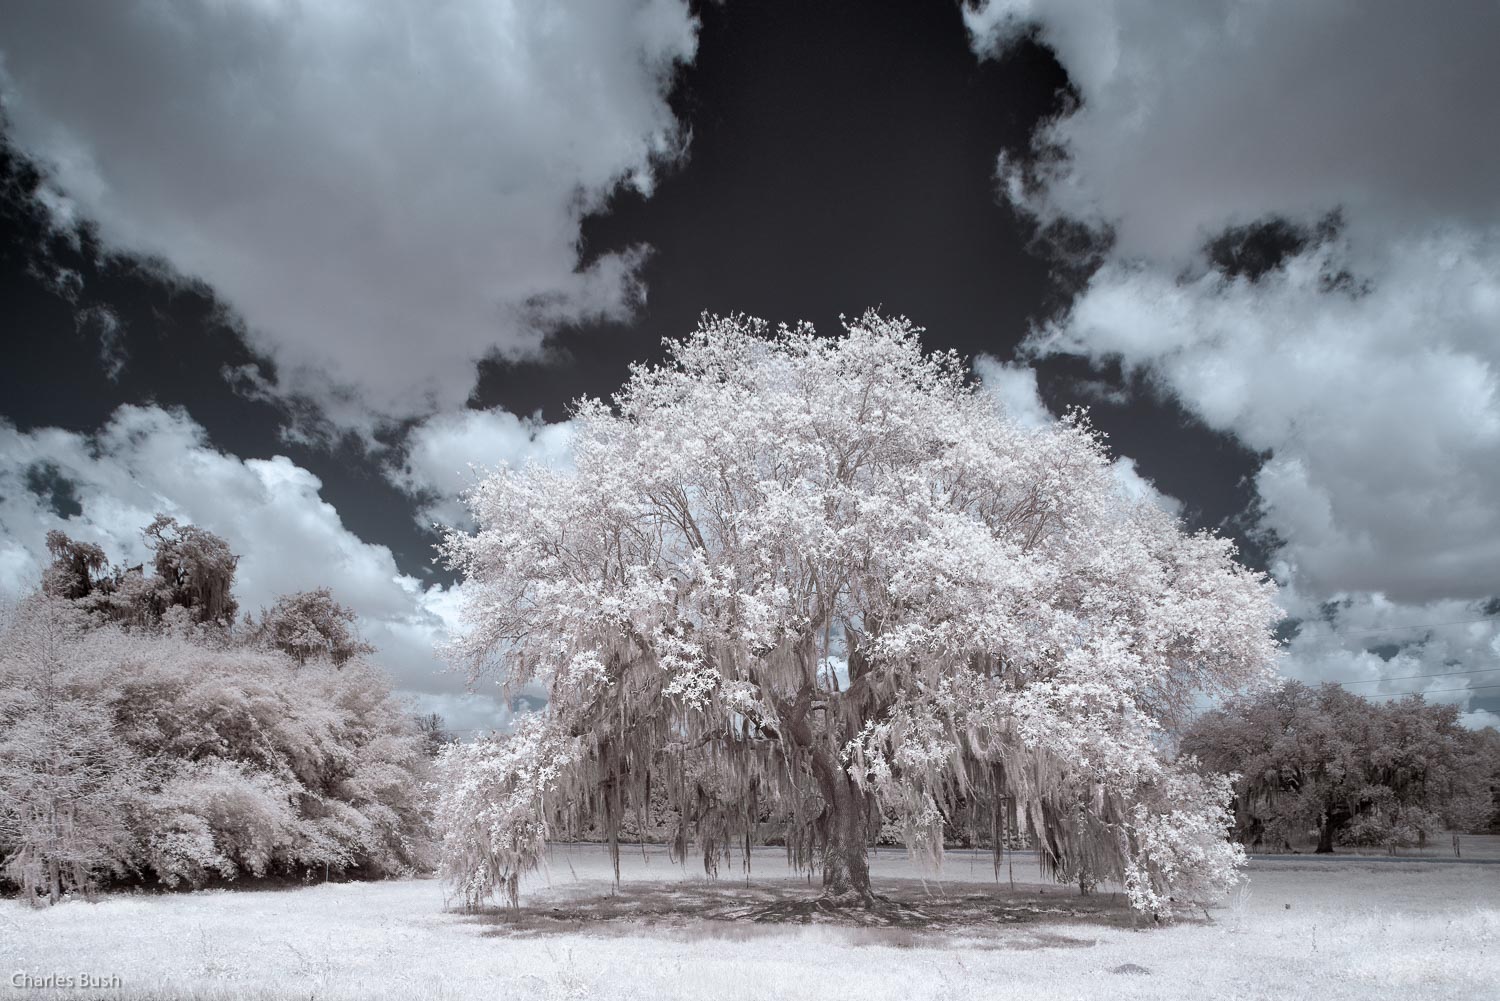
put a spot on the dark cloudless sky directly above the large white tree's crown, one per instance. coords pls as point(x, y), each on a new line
point(844, 158)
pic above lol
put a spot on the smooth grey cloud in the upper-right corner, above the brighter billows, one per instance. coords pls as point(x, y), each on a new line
point(1208, 113)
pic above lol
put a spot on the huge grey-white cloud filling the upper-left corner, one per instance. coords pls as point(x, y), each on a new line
point(388, 194)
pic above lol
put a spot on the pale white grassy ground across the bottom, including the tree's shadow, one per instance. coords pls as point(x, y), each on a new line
point(1300, 930)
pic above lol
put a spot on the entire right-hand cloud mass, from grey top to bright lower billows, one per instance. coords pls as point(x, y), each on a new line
point(1364, 364)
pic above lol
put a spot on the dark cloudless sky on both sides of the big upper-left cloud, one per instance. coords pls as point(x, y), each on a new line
point(842, 157)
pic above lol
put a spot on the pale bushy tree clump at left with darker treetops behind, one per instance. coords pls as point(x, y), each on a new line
point(181, 750)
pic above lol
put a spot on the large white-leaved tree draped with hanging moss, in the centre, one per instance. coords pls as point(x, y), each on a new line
point(826, 583)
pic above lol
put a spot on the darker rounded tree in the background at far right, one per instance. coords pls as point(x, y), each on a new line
point(1355, 771)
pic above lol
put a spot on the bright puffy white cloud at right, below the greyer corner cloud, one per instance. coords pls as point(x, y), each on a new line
point(1381, 410)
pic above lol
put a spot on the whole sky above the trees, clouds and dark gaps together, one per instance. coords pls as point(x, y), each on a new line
point(839, 155)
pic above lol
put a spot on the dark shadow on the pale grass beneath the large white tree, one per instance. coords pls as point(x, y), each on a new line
point(919, 916)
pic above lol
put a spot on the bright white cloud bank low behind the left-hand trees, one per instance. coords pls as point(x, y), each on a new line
point(107, 487)
